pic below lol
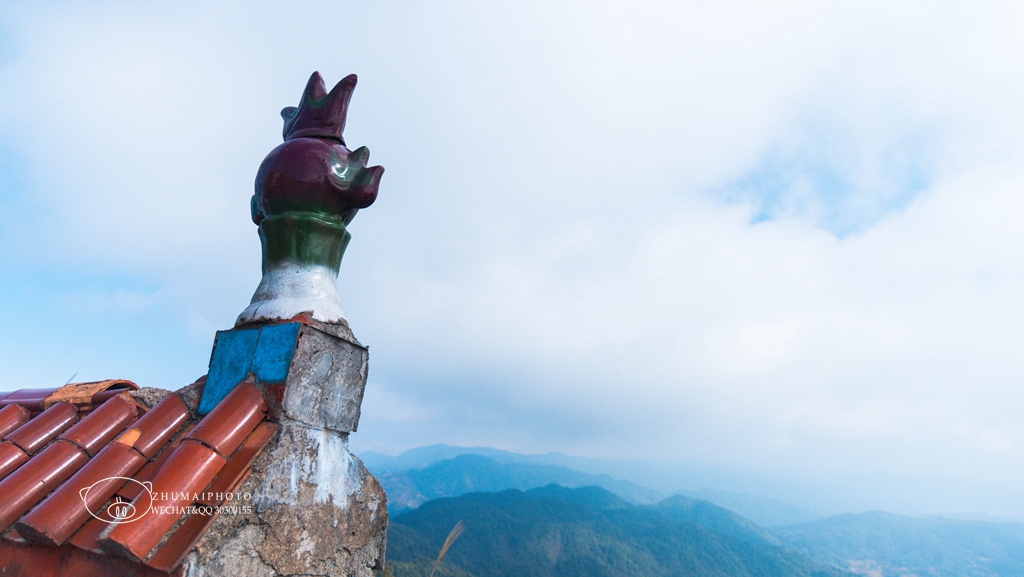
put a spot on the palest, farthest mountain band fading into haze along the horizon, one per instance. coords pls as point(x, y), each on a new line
point(769, 500)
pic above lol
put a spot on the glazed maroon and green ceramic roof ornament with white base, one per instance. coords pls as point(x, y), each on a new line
point(308, 191)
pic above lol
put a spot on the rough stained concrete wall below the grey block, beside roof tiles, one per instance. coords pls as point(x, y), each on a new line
point(316, 511)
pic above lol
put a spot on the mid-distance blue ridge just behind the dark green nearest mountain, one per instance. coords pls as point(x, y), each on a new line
point(474, 474)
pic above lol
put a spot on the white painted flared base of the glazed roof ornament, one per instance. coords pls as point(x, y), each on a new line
point(290, 290)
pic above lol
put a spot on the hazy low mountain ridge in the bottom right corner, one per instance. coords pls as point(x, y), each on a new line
point(895, 546)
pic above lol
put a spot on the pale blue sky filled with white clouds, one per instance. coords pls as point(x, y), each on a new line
point(786, 240)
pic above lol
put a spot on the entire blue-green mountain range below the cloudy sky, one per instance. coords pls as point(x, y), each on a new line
point(616, 527)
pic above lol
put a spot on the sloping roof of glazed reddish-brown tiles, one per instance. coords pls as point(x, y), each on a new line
point(95, 478)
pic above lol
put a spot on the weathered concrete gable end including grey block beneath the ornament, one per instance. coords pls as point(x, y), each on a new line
point(315, 509)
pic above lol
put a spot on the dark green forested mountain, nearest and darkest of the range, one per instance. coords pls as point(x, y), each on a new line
point(588, 532)
